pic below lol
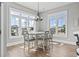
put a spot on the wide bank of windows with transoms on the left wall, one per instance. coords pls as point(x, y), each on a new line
point(20, 20)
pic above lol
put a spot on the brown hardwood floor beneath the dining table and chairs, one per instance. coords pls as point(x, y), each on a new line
point(58, 50)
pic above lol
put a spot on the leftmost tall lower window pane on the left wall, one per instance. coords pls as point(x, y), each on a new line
point(14, 26)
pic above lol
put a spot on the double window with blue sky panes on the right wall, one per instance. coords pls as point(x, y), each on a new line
point(58, 23)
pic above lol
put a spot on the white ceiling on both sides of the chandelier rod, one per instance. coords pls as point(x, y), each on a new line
point(43, 6)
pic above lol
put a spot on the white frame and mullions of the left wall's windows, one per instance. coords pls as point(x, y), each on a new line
point(20, 17)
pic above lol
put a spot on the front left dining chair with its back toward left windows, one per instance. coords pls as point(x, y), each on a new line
point(28, 40)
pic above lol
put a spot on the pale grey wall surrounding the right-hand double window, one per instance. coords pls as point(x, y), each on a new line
point(72, 21)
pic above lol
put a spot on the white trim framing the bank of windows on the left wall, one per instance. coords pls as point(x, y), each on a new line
point(20, 17)
